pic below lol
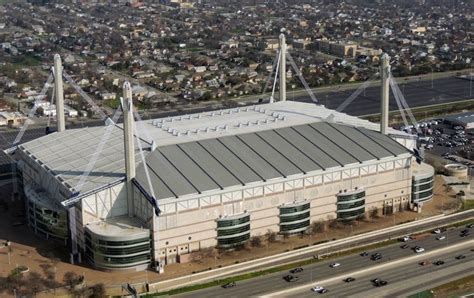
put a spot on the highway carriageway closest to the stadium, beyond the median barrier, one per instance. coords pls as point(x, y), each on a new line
point(274, 283)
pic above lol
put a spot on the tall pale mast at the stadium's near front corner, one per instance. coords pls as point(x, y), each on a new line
point(127, 107)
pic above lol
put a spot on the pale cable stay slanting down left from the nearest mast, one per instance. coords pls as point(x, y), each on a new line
point(99, 148)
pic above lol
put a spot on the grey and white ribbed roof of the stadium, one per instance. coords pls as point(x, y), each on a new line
point(268, 135)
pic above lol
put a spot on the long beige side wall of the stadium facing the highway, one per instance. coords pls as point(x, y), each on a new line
point(187, 225)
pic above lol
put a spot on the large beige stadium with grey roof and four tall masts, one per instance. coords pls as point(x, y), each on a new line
point(149, 193)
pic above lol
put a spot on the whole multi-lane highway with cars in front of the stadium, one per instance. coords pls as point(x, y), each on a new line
point(273, 283)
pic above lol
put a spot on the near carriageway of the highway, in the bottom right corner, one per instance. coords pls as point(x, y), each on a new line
point(394, 276)
